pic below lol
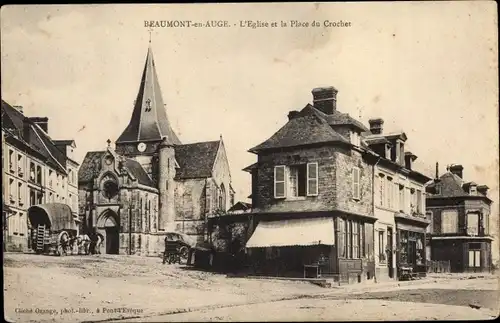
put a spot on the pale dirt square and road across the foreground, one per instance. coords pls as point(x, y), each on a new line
point(94, 288)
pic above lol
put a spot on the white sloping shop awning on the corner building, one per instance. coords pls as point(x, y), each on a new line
point(293, 232)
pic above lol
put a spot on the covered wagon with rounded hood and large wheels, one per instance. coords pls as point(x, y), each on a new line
point(53, 228)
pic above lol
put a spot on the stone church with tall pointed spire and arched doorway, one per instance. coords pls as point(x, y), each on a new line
point(150, 183)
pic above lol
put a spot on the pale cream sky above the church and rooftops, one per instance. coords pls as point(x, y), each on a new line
point(429, 69)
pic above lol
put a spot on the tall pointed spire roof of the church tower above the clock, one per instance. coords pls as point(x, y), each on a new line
point(149, 120)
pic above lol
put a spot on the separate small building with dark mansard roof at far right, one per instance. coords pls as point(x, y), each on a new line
point(460, 221)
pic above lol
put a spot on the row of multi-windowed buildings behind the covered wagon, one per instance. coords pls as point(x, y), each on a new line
point(36, 170)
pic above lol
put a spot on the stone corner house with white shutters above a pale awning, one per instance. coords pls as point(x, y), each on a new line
point(312, 195)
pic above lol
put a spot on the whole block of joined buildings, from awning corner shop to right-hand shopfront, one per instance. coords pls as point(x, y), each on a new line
point(313, 197)
